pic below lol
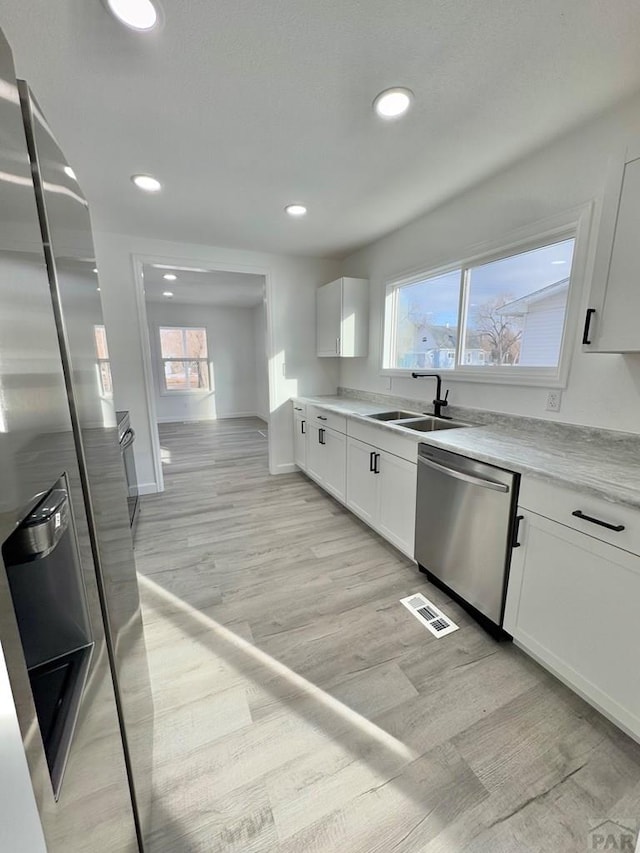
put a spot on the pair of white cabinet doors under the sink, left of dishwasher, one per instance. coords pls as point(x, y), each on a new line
point(381, 489)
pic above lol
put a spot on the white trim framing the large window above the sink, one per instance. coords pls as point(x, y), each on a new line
point(573, 223)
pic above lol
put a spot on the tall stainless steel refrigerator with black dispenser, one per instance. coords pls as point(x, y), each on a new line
point(70, 621)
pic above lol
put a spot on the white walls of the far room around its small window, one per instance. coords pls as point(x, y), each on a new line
point(232, 361)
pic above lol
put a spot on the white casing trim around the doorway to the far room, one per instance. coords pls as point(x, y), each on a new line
point(138, 261)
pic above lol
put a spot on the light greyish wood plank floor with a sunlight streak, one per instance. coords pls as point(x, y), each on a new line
point(300, 707)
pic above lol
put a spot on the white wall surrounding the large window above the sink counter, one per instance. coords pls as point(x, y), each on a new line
point(603, 390)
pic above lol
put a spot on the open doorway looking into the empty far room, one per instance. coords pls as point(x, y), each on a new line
point(207, 354)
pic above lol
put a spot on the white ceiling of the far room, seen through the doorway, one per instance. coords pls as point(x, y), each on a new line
point(241, 290)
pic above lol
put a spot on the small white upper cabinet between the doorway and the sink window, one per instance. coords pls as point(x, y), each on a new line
point(343, 318)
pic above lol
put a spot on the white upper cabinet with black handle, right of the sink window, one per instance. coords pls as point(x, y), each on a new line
point(611, 324)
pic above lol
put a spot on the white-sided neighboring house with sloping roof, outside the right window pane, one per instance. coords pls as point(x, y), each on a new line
point(542, 313)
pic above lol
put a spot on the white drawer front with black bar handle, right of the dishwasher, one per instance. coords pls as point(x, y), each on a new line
point(560, 504)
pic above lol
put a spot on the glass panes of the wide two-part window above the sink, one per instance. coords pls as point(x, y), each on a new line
point(495, 316)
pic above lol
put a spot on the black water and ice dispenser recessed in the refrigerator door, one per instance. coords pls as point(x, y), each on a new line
point(49, 598)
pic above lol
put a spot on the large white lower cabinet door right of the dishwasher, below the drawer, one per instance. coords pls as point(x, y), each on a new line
point(572, 602)
